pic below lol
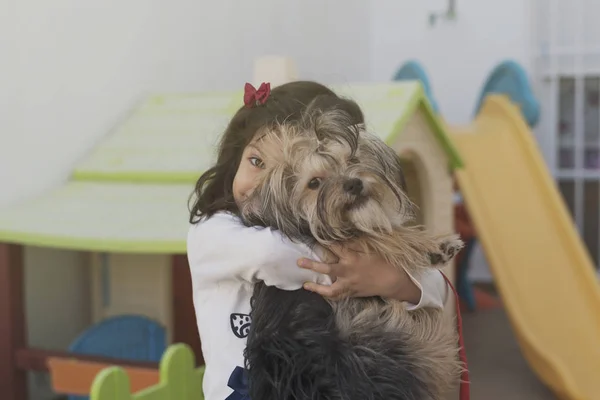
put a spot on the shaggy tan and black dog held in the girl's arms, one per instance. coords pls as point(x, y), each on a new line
point(333, 182)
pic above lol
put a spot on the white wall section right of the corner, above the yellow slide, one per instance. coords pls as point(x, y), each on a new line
point(458, 55)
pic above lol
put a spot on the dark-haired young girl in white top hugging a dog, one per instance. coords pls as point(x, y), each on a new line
point(226, 258)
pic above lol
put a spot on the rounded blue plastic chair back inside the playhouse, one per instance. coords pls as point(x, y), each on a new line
point(130, 337)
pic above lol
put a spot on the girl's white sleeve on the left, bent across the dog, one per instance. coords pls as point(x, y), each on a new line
point(221, 248)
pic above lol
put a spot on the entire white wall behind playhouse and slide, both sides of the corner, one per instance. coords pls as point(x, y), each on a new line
point(71, 69)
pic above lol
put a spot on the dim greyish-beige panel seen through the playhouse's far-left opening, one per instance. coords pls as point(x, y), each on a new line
point(57, 304)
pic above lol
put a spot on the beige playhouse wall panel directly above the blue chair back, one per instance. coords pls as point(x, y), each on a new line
point(132, 284)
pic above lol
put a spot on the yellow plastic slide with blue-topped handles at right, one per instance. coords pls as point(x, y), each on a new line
point(540, 265)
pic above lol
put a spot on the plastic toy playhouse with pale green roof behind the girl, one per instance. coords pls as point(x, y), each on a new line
point(125, 205)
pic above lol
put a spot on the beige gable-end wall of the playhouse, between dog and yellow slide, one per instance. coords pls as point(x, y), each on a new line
point(417, 144)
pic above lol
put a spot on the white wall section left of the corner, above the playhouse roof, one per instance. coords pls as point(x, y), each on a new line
point(73, 68)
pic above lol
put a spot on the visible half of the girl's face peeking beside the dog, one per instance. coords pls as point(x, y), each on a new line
point(246, 177)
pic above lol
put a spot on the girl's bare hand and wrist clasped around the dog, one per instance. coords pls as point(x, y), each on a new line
point(357, 274)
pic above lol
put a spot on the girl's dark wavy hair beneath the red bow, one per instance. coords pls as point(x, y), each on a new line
point(213, 192)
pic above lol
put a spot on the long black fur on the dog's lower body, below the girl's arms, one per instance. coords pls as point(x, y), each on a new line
point(294, 352)
